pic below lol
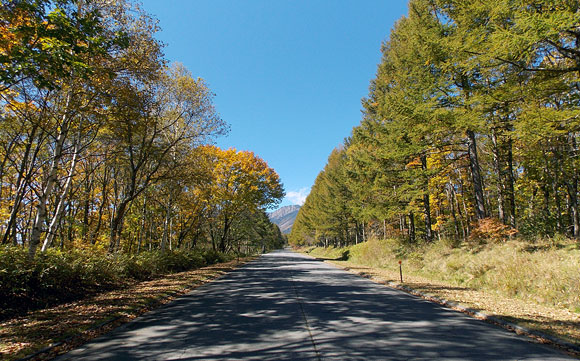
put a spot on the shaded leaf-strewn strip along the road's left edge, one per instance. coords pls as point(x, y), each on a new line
point(58, 329)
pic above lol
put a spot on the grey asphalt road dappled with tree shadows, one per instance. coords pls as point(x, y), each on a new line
point(286, 306)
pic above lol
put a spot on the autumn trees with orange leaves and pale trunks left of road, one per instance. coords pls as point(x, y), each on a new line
point(105, 144)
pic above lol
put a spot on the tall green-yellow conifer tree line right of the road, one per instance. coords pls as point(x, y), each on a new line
point(470, 127)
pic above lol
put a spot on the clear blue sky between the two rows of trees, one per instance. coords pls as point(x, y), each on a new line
point(288, 75)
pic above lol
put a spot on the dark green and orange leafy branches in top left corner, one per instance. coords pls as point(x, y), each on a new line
point(47, 41)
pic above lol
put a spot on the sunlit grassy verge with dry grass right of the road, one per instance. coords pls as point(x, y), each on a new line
point(536, 286)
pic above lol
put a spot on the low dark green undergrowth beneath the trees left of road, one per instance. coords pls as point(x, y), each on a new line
point(55, 276)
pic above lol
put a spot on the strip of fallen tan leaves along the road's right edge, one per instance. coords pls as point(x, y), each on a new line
point(559, 322)
